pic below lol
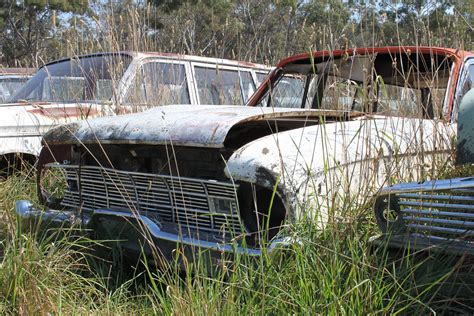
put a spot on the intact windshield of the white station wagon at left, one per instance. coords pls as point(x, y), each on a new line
point(84, 79)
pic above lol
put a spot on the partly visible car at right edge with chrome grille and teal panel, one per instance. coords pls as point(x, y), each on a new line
point(433, 215)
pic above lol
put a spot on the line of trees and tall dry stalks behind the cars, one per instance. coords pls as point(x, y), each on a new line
point(33, 32)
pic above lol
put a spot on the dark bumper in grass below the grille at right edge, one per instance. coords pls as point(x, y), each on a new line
point(417, 242)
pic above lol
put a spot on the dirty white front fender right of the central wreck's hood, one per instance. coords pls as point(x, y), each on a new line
point(340, 158)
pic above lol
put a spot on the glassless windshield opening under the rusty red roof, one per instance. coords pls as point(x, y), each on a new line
point(389, 85)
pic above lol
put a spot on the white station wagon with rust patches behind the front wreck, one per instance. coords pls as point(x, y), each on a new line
point(101, 84)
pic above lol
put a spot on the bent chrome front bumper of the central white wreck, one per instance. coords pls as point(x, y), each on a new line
point(128, 228)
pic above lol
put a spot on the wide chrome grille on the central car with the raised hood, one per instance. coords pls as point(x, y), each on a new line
point(184, 201)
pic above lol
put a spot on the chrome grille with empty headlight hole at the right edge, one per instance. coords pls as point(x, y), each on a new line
point(443, 209)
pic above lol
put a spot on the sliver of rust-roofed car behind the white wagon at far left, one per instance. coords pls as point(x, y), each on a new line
point(11, 79)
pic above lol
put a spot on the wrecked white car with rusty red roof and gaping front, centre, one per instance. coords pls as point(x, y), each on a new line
point(324, 130)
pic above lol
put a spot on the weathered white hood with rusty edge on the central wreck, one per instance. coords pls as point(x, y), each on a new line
point(203, 126)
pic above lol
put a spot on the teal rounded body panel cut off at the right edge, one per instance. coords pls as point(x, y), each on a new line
point(465, 138)
